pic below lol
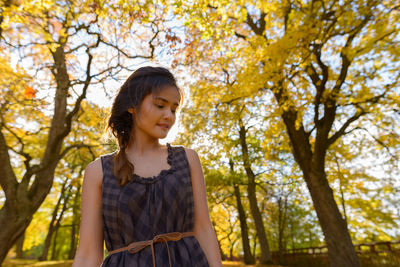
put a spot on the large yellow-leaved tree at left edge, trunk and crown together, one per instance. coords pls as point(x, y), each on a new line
point(68, 46)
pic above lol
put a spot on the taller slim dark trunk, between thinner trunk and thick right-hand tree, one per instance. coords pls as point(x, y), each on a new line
point(266, 257)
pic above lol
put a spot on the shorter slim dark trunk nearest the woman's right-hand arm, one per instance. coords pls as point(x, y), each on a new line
point(248, 258)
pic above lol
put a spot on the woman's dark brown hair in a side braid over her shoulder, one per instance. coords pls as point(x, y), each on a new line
point(143, 81)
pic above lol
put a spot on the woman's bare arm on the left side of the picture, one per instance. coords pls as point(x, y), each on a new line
point(91, 241)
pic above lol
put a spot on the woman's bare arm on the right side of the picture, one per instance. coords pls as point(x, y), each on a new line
point(203, 228)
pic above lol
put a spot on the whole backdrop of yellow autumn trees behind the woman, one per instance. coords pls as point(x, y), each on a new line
point(293, 107)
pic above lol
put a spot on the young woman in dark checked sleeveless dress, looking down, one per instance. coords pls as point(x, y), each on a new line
point(146, 201)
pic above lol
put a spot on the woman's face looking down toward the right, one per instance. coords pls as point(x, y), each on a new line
point(156, 114)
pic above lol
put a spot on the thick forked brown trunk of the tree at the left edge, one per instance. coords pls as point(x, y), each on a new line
point(25, 197)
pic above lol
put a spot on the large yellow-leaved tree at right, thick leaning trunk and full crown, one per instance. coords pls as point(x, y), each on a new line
point(326, 66)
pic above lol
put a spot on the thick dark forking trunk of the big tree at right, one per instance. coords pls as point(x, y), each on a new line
point(311, 160)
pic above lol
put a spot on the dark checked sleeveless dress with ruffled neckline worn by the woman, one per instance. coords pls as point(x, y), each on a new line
point(146, 207)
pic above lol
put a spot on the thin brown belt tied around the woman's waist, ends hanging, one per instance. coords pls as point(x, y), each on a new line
point(137, 246)
